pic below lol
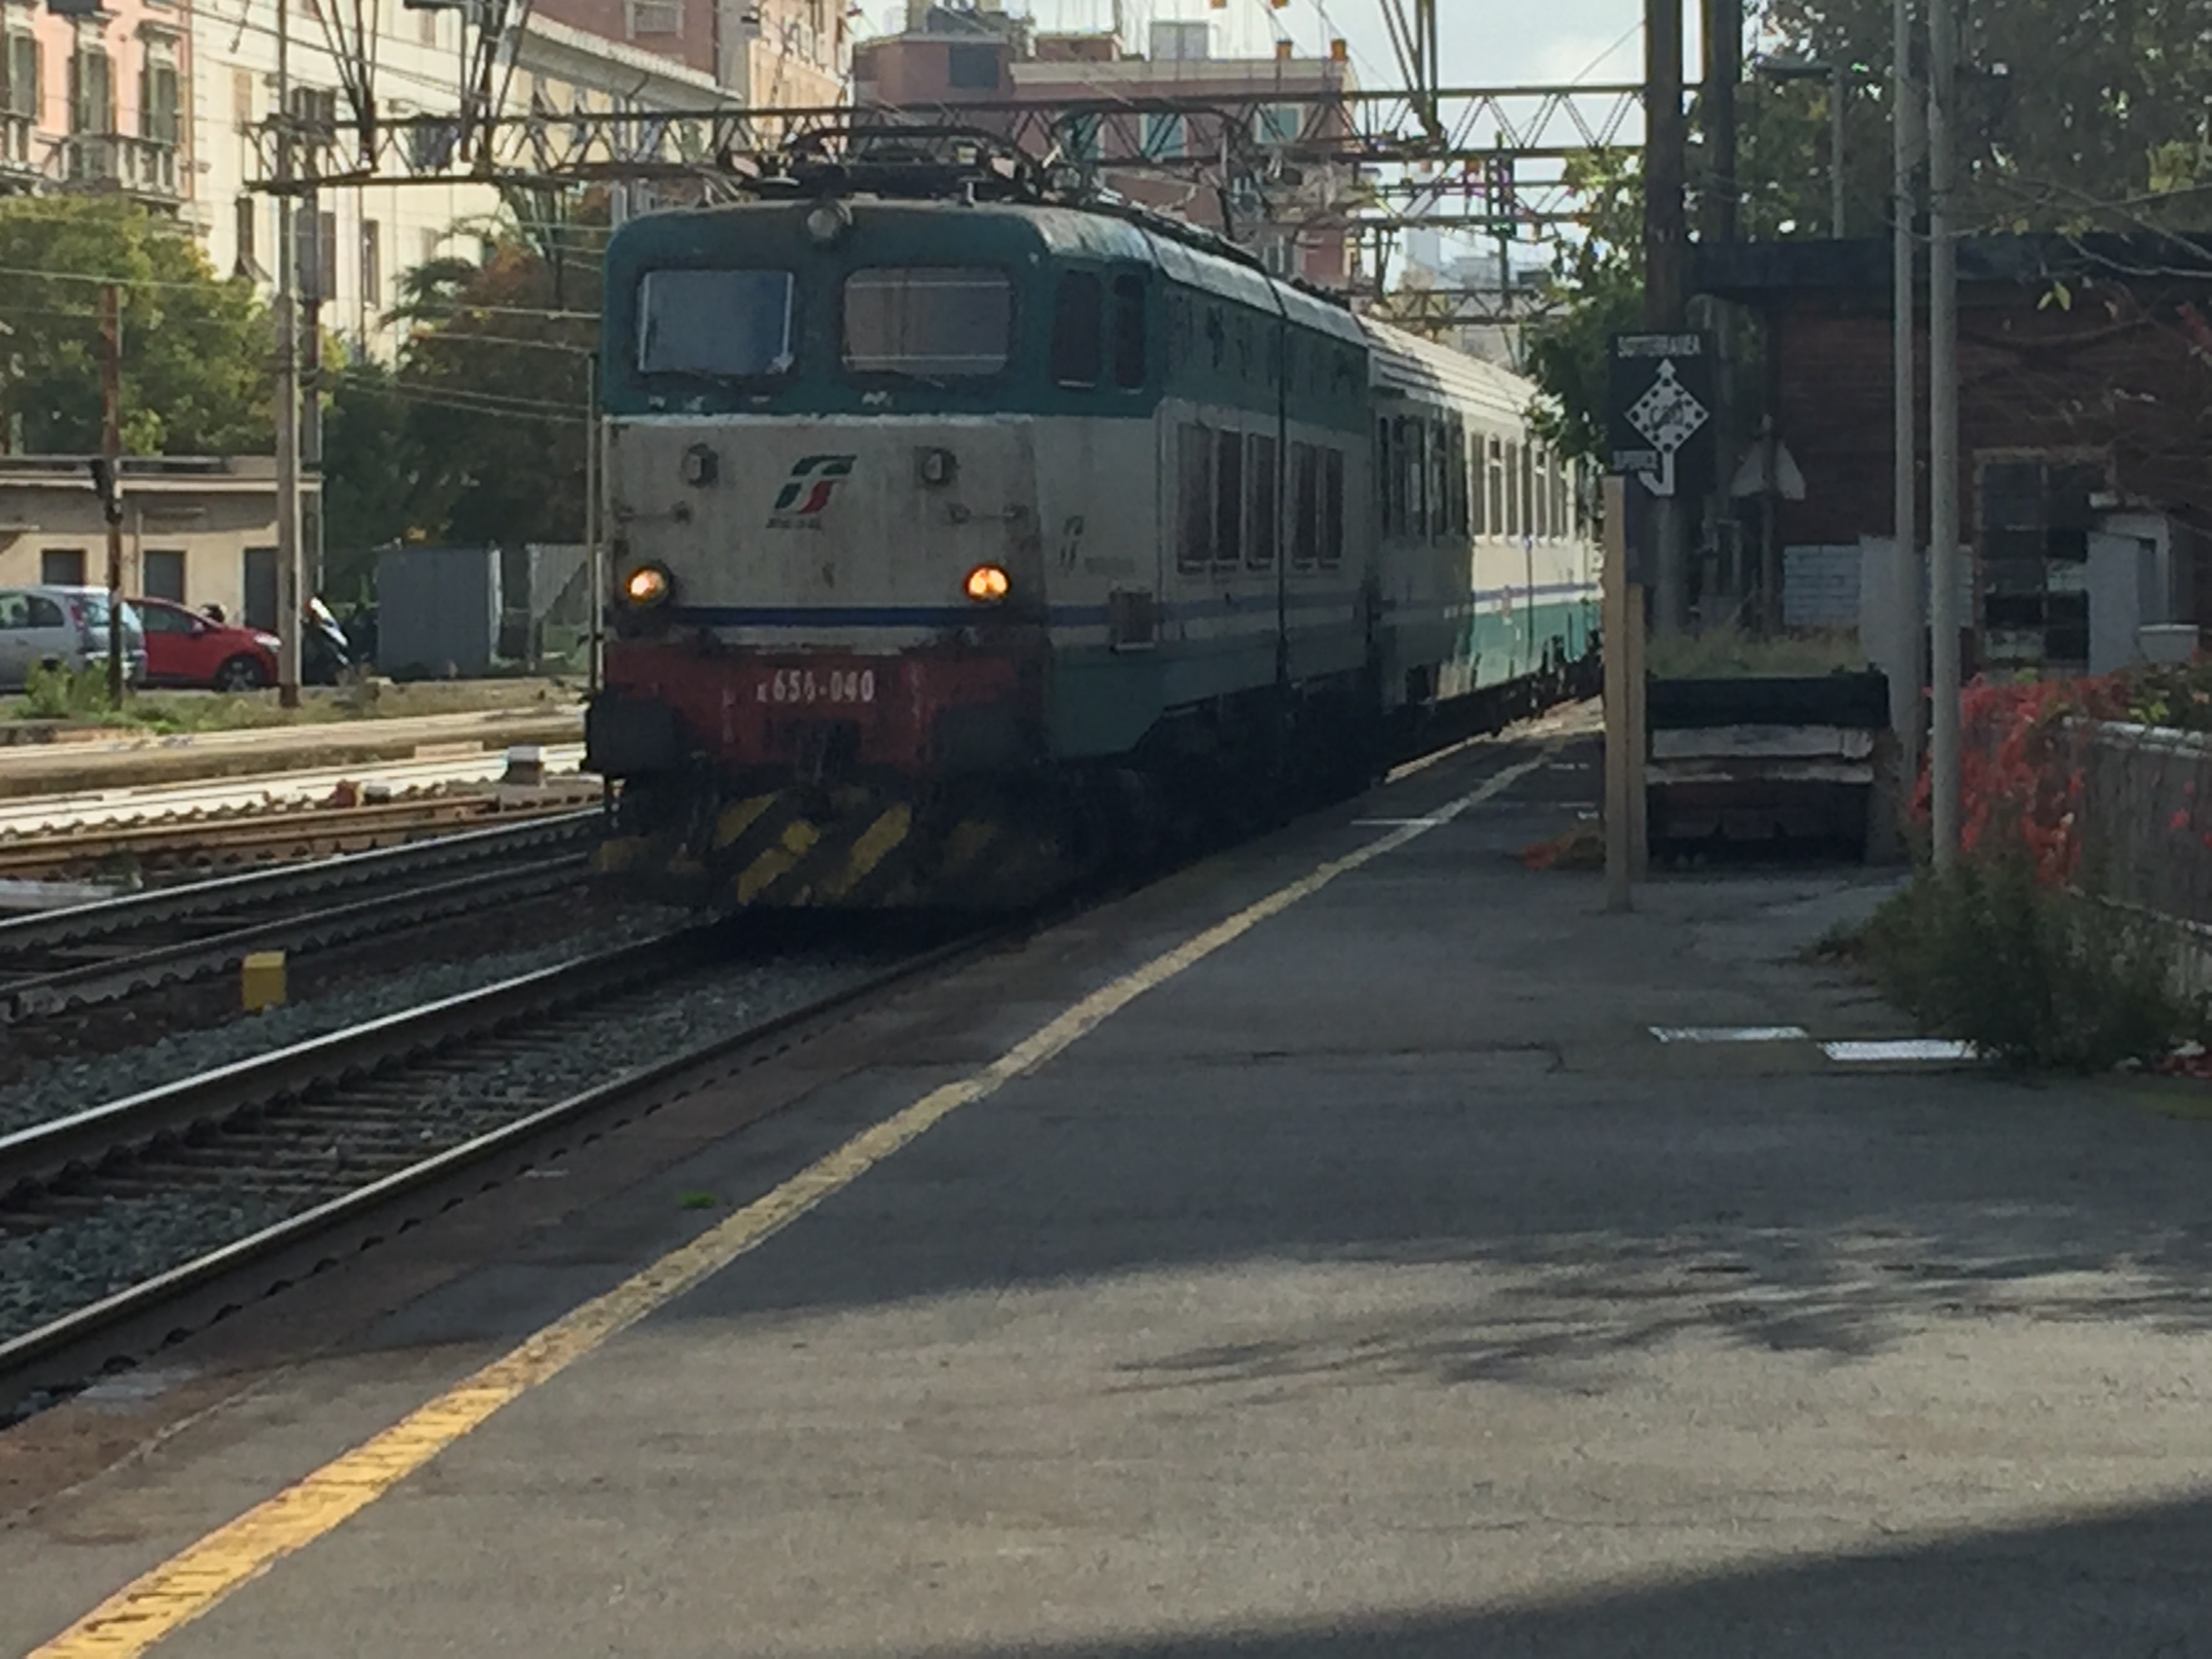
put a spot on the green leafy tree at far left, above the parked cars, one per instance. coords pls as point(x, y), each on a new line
point(196, 348)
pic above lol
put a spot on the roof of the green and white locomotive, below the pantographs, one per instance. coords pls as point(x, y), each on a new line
point(1185, 255)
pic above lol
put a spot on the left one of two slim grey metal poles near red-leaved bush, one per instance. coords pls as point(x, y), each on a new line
point(1906, 419)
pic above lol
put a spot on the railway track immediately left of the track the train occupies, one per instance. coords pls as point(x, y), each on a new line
point(92, 954)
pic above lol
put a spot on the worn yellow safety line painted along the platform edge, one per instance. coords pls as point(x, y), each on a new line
point(205, 1574)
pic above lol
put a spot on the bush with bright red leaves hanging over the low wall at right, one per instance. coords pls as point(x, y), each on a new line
point(2021, 782)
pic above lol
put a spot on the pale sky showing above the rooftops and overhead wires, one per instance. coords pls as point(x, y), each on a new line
point(1485, 43)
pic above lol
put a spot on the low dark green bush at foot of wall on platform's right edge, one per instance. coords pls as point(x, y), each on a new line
point(2034, 977)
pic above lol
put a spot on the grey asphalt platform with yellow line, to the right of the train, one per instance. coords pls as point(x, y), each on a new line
point(1359, 1277)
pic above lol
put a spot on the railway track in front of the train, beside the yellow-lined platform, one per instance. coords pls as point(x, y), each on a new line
point(328, 1131)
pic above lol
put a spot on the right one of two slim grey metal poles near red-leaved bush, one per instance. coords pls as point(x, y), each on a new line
point(1943, 435)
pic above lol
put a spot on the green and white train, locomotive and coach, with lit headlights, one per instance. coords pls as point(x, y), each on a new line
point(961, 545)
